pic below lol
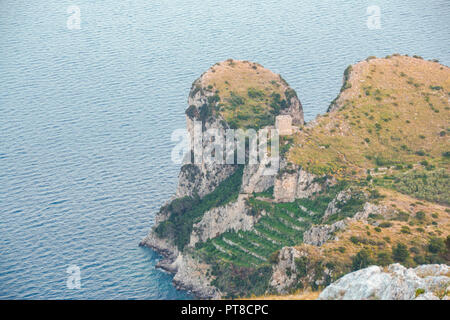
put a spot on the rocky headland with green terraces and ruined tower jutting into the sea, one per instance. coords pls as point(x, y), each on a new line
point(354, 188)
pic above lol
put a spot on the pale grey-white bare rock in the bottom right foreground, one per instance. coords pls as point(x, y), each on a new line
point(392, 283)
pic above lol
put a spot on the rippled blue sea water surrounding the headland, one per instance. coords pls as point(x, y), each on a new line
point(86, 116)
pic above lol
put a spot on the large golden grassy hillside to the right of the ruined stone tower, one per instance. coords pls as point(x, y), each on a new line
point(391, 111)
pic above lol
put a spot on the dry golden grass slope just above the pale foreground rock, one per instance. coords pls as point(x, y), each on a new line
point(402, 225)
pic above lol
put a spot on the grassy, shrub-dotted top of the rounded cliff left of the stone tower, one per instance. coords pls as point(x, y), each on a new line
point(248, 95)
